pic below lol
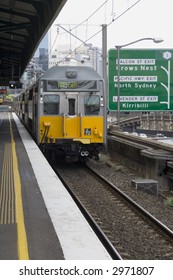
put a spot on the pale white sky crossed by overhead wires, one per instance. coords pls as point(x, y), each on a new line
point(126, 20)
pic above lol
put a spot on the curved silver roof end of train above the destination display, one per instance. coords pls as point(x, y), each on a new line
point(60, 72)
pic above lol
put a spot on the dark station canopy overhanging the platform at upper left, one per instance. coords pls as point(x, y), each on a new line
point(23, 24)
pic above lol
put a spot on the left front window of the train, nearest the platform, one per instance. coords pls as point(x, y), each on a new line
point(51, 104)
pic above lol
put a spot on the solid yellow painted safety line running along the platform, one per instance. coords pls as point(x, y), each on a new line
point(21, 231)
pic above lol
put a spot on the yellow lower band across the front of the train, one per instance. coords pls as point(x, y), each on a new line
point(73, 128)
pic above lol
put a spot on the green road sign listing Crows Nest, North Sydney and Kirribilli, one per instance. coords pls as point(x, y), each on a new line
point(145, 80)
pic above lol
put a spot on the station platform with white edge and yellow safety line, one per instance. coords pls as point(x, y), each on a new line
point(38, 218)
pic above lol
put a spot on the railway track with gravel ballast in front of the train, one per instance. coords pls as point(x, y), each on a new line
point(125, 228)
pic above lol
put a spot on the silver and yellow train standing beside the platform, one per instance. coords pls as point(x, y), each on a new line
point(65, 112)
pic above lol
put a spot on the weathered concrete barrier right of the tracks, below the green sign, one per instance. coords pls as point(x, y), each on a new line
point(152, 163)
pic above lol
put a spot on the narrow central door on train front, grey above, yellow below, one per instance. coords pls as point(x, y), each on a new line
point(70, 125)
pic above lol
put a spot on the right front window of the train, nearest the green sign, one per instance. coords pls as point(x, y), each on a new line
point(92, 104)
